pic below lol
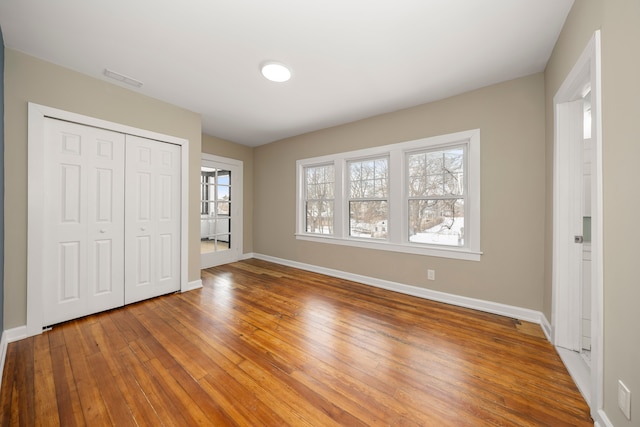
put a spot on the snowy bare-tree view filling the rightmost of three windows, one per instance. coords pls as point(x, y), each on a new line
point(436, 196)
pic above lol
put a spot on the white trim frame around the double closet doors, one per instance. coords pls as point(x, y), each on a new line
point(35, 216)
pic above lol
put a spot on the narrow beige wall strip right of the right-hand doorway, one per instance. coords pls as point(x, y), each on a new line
point(621, 153)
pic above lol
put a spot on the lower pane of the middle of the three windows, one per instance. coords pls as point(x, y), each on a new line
point(368, 219)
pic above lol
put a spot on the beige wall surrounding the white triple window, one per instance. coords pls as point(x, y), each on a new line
point(510, 117)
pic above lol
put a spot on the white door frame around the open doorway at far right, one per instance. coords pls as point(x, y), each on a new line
point(567, 175)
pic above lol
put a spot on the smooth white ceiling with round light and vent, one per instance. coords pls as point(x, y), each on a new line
point(350, 59)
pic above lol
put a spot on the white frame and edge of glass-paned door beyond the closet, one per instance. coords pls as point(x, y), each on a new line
point(237, 216)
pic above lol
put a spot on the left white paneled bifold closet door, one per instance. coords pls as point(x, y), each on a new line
point(83, 241)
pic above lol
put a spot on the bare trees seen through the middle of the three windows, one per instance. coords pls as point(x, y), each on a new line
point(368, 198)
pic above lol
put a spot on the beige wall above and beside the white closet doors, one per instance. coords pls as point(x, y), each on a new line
point(28, 79)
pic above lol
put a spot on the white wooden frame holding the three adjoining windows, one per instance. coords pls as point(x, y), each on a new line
point(398, 236)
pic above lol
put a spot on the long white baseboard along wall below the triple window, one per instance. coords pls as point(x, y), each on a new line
point(476, 304)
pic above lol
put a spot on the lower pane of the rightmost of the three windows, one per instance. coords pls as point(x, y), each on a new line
point(439, 222)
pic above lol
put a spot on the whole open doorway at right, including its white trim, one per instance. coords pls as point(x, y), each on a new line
point(577, 300)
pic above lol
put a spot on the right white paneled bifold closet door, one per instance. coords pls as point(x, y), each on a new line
point(152, 212)
